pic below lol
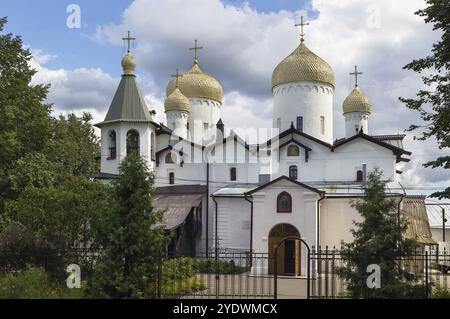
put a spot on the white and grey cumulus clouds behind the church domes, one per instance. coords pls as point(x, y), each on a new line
point(243, 46)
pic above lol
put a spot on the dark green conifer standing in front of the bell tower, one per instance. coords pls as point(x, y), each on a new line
point(131, 236)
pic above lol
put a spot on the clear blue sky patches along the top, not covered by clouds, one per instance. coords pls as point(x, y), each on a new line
point(42, 25)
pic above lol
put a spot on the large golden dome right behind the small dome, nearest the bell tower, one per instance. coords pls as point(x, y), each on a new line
point(196, 83)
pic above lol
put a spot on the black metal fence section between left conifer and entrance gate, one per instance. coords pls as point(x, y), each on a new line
point(227, 275)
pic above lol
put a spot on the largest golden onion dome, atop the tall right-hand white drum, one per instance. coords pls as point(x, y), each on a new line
point(302, 65)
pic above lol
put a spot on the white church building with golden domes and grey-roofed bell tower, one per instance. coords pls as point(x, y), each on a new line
point(228, 191)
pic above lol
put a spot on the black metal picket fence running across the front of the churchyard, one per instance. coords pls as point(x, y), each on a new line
point(241, 275)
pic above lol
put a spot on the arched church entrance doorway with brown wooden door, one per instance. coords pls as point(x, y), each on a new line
point(289, 253)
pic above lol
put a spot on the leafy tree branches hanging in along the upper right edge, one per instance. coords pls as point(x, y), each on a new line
point(433, 103)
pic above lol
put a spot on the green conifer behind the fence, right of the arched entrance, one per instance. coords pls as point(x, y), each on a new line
point(379, 240)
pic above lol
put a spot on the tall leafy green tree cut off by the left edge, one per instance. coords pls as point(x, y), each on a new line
point(25, 125)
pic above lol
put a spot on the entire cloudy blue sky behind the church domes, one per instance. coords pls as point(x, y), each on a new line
point(242, 47)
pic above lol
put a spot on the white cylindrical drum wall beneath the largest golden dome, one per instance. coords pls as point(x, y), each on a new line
point(309, 99)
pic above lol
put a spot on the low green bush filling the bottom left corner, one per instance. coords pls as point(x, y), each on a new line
point(34, 283)
